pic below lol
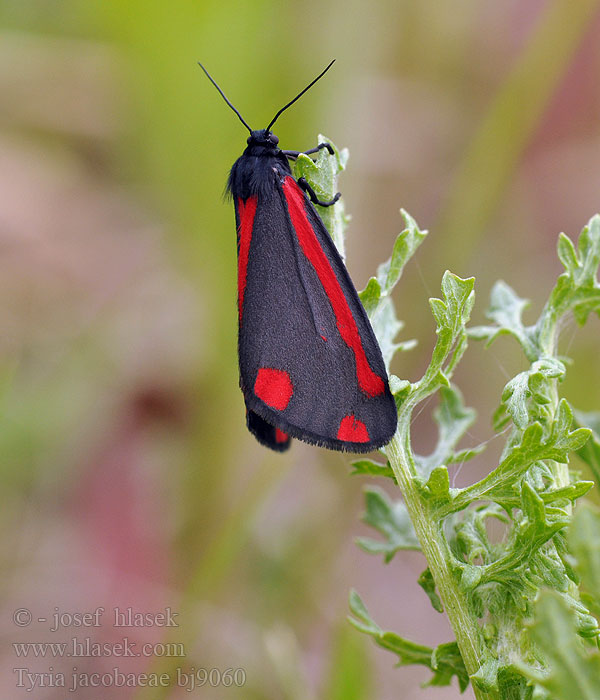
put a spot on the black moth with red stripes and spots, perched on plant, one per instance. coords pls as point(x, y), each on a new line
point(310, 364)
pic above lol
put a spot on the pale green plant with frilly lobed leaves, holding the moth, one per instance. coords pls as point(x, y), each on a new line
point(523, 608)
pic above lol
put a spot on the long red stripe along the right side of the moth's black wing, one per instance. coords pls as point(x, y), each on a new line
point(369, 382)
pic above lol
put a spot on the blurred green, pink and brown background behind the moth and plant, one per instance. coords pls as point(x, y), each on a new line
point(127, 475)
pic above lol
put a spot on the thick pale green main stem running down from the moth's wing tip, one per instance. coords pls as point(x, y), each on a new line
point(435, 549)
